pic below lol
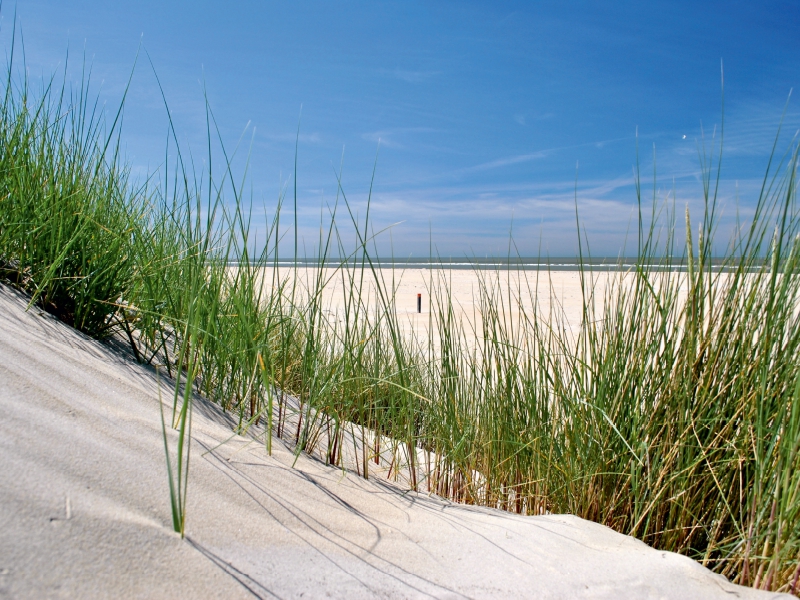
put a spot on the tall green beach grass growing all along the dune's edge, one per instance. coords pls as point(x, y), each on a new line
point(671, 412)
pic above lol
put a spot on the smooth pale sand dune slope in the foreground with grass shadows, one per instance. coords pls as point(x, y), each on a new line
point(84, 507)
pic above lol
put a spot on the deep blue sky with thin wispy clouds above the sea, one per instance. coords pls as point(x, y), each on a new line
point(479, 120)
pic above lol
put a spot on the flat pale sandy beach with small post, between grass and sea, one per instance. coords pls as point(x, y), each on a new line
point(557, 294)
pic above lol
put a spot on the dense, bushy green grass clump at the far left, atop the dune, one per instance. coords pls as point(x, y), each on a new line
point(65, 204)
